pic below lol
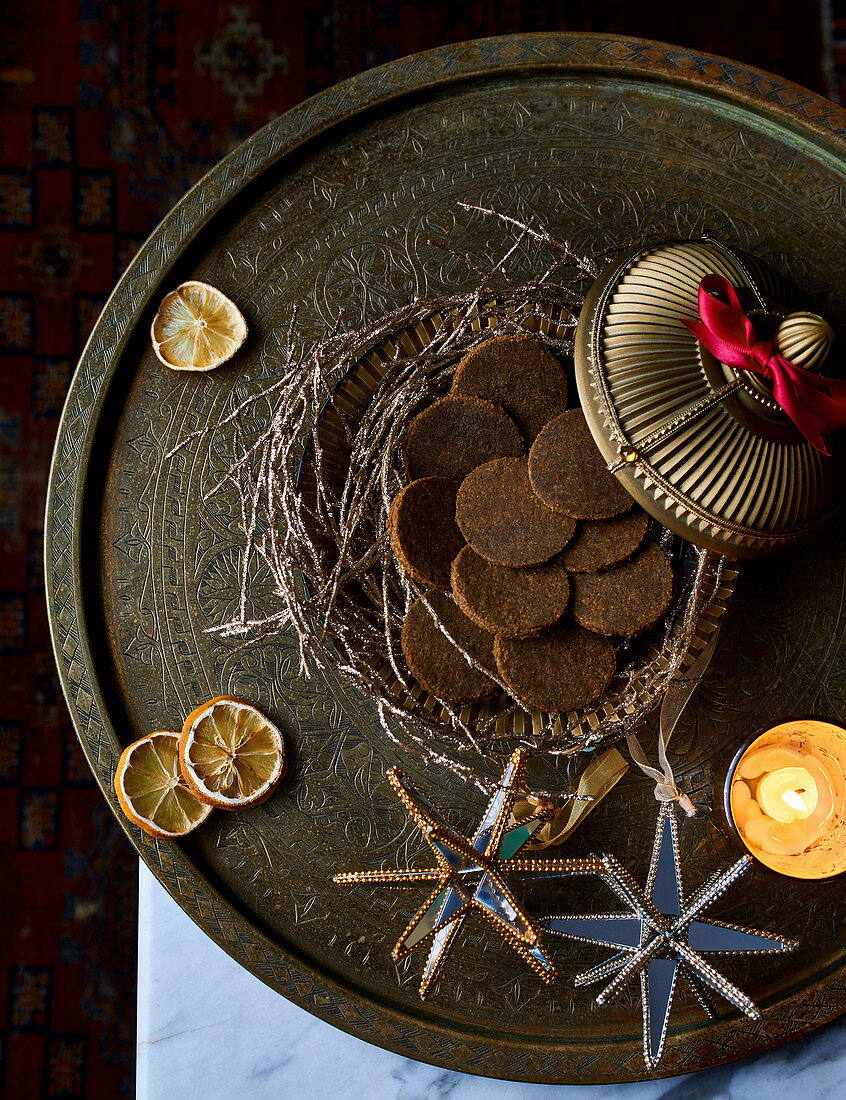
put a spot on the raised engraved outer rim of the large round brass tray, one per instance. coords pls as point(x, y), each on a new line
point(525, 1058)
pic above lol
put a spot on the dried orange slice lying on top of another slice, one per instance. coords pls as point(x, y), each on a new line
point(232, 755)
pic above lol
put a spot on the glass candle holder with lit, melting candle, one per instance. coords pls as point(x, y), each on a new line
point(786, 799)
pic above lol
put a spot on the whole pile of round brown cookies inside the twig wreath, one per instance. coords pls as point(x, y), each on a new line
point(543, 555)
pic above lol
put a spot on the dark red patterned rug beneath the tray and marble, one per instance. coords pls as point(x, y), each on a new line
point(109, 112)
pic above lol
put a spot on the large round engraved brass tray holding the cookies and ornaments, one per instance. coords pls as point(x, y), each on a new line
point(331, 210)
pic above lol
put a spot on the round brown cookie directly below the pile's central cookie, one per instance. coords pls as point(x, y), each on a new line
point(513, 602)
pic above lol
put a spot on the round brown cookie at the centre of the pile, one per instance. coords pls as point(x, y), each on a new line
point(504, 521)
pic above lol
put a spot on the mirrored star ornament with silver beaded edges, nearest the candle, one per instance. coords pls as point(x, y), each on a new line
point(661, 937)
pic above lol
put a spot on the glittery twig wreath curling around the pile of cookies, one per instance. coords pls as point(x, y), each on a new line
point(316, 478)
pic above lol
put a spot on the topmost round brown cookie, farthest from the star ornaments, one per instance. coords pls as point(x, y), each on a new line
point(518, 373)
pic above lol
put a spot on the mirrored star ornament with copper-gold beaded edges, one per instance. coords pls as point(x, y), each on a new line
point(470, 876)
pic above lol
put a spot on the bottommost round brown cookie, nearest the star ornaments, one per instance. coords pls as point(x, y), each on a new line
point(557, 672)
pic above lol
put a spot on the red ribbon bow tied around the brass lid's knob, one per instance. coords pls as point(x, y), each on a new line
point(816, 404)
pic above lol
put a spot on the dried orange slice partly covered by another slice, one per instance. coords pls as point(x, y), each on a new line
point(151, 789)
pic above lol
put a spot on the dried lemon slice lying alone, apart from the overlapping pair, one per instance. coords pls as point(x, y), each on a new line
point(197, 328)
